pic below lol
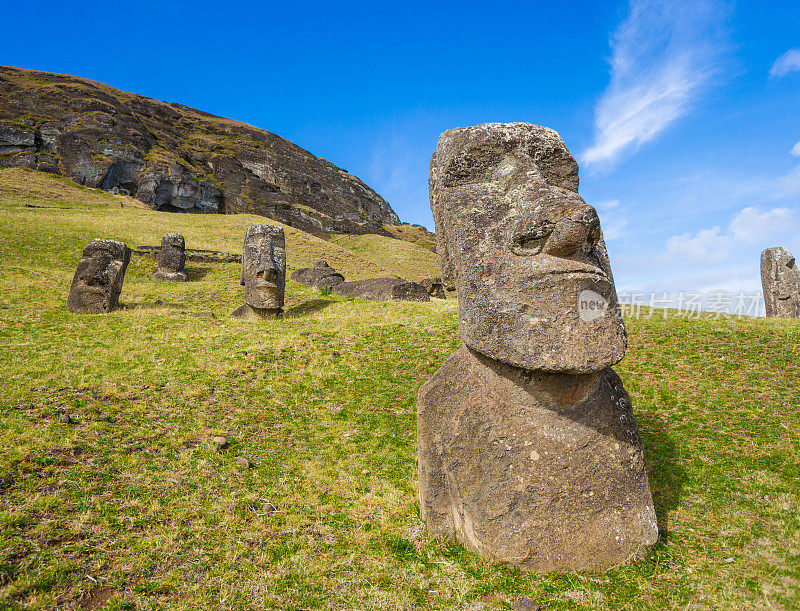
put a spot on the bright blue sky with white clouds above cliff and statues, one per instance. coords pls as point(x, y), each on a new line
point(684, 116)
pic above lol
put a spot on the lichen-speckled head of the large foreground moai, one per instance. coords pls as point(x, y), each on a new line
point(534, 282)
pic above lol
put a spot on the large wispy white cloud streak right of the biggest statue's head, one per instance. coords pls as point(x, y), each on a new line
point(664, 55)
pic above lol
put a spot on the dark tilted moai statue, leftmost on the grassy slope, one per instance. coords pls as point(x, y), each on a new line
point(98, 280)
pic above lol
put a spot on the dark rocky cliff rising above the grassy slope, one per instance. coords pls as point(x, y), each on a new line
point(176, 158)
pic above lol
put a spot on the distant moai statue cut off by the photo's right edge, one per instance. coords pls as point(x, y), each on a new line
point(780, 280)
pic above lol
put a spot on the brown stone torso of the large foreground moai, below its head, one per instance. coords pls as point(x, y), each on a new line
point(539, 470)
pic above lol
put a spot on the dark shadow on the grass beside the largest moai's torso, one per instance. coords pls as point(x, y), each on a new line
point(664, 468)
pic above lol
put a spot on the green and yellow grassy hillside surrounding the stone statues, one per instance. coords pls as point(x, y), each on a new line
point(131, 506)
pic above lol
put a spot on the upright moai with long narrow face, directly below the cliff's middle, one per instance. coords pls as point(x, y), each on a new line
point(263, 272)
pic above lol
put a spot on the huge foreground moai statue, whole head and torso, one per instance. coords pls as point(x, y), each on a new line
point(529, 452)
